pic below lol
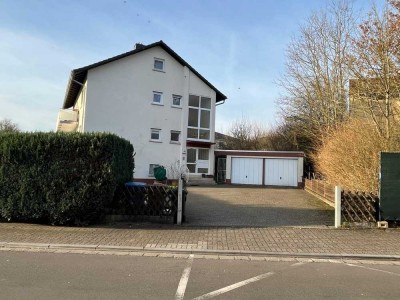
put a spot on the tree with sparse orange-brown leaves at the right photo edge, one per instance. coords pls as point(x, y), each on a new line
point(375, 67)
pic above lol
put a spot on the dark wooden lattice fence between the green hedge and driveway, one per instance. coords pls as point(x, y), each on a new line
point(155, 200)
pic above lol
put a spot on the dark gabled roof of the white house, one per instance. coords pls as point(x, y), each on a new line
point(79, 75)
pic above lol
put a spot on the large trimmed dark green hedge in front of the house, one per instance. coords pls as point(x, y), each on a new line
point(61, 178)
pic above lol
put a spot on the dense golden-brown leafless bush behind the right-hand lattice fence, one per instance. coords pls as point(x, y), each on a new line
point(349, 156)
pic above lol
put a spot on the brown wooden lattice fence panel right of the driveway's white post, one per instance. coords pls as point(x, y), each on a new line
point(359, 207)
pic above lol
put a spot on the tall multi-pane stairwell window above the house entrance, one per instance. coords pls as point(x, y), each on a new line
point(199, 120)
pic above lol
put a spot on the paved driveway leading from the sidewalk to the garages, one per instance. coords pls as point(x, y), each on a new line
point(255, 207)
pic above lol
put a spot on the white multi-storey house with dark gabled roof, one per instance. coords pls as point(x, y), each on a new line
point(151, 97)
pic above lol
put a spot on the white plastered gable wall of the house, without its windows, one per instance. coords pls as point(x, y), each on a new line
point(119, 100)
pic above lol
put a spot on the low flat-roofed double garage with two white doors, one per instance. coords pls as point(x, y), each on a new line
point(270, 168)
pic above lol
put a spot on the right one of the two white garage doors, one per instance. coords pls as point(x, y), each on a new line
point(282, 172)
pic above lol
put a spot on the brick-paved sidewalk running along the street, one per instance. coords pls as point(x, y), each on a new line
point(286, 241)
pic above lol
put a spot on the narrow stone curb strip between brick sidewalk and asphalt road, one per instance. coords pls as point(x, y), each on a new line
point(113, 248)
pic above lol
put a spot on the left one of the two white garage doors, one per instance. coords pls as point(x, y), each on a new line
point(246, 170)
